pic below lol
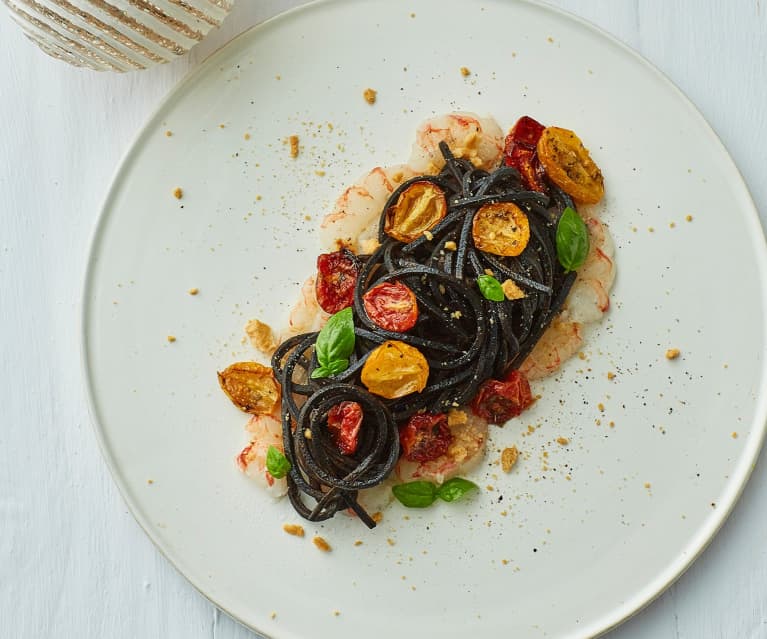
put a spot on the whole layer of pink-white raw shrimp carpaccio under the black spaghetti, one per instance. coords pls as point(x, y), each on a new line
point(353, 224)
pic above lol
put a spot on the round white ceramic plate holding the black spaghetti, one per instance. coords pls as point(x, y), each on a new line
point(568, 544)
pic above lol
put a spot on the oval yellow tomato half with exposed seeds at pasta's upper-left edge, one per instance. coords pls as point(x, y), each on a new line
point(418, 209)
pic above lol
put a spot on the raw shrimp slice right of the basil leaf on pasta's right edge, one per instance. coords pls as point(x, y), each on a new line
point(589, 298)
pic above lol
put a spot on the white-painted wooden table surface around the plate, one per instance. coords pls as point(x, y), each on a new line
point(73, 563)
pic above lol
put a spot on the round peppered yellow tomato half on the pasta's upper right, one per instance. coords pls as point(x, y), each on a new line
point(501, 228)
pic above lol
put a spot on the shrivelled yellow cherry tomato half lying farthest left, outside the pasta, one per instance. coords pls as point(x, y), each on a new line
point(251, 387)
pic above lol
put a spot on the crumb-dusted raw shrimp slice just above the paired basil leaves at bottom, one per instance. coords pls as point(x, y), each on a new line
point(464, 453)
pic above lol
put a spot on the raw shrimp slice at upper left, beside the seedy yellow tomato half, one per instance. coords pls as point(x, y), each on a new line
point(353, 223)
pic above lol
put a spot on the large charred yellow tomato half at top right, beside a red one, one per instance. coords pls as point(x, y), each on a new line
point(569, 165)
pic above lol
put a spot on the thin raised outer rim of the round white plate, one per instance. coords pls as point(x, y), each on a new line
point(742, 472)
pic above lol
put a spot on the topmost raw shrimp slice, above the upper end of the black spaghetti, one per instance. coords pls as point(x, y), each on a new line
point(479, 140)
